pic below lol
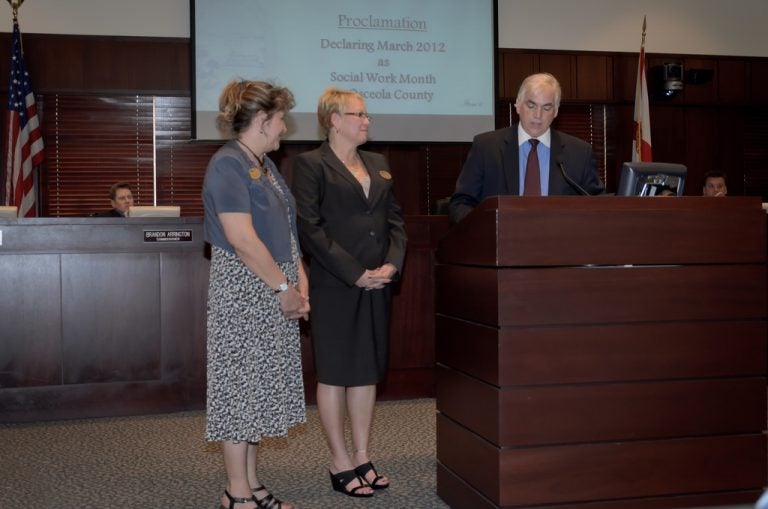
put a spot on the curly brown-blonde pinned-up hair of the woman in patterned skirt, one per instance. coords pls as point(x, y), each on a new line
point(241, 101)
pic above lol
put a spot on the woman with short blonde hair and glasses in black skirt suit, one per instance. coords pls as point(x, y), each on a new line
point(351, 226)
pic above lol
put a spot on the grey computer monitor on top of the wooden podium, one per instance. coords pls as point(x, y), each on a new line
point(651, 179)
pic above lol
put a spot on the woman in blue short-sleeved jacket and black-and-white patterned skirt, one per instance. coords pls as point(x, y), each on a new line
point(257, 291)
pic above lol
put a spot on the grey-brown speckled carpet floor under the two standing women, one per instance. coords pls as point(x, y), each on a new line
point(163, 462)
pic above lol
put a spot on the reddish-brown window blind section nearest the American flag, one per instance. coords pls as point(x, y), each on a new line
point(91, 143)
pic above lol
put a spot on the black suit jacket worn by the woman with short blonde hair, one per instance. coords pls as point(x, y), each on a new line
point(344, 232)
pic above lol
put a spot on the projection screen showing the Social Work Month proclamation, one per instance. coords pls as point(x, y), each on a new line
point(425, 68)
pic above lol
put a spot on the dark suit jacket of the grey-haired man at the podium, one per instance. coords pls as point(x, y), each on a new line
point(492, 168)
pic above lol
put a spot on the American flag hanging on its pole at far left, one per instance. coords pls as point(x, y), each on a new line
point(24, 141)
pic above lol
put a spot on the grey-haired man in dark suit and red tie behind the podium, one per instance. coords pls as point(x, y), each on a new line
point(498, 160)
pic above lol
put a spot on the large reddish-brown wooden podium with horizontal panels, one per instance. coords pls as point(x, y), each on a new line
point(602, 352)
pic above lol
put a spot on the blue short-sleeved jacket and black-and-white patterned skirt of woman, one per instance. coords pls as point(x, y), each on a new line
point(255, 385)
